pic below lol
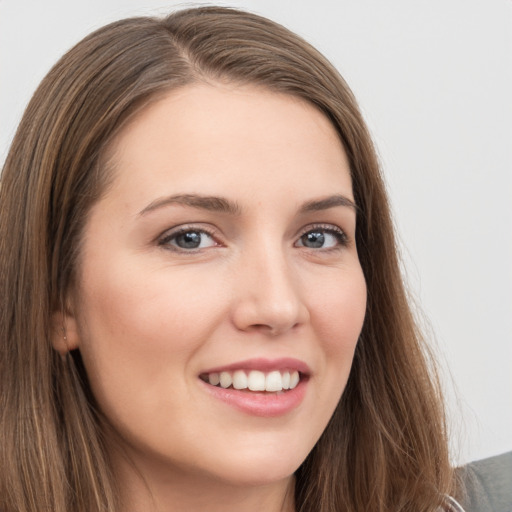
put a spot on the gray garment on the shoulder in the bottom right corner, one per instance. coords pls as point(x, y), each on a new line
point(488, 484)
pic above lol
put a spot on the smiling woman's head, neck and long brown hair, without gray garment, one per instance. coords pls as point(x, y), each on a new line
point(202, 305)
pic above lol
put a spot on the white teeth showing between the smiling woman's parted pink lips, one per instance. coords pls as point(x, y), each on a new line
point(254, 380)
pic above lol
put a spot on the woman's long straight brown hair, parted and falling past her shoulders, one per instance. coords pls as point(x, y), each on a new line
point(385, 448)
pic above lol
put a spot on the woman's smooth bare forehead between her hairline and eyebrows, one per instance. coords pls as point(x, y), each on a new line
point(222, 138)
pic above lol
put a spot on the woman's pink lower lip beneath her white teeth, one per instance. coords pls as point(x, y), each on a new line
point(267, 405)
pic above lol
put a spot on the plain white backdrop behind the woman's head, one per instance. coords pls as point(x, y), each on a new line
point(434, 81)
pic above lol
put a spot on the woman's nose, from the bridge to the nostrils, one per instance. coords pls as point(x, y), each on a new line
point(268, 296)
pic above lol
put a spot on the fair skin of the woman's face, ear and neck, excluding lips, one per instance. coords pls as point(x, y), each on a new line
point(149, 316)
